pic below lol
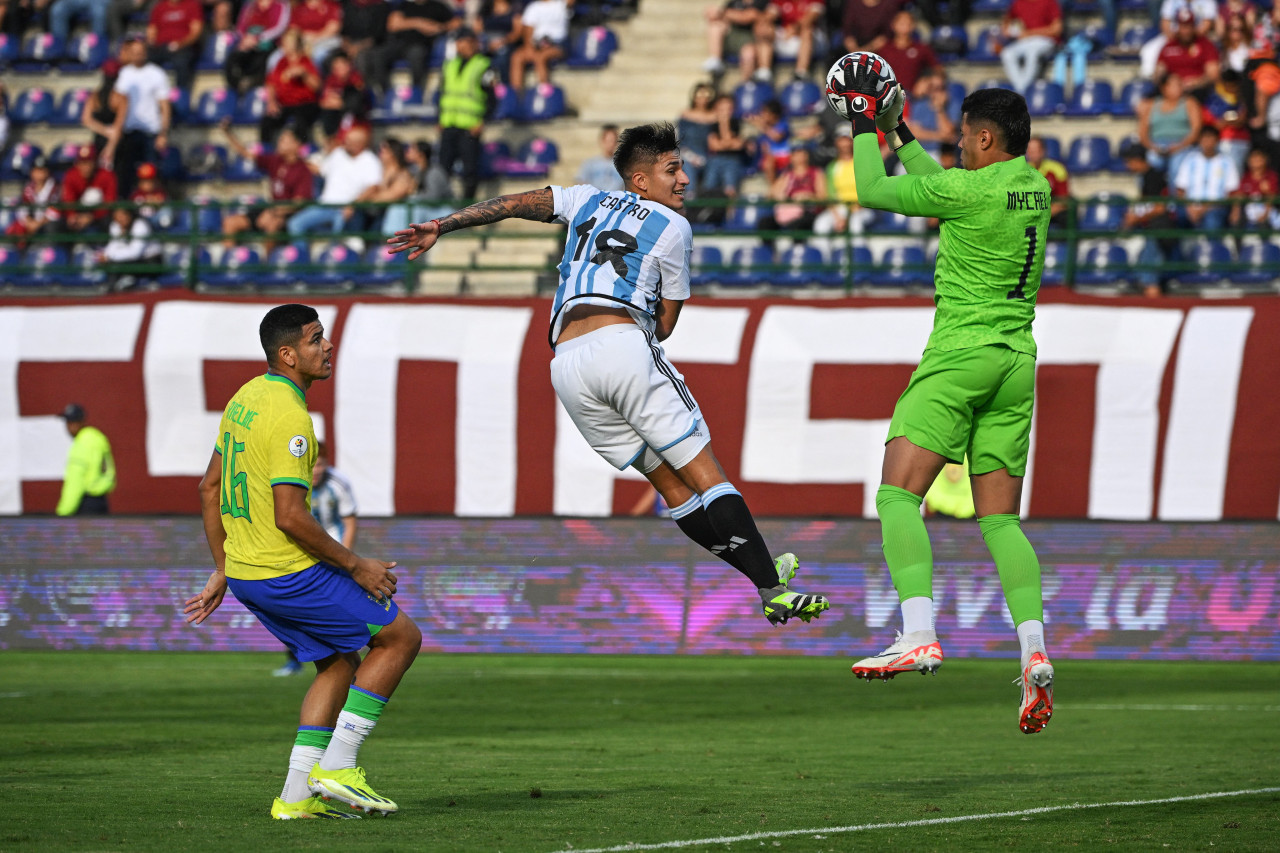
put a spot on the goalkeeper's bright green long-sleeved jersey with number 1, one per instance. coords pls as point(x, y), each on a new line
point(991, 247)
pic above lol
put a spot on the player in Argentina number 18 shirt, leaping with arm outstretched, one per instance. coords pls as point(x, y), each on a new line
point(623, 281)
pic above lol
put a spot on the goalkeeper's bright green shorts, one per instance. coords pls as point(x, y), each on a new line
point(976, 402)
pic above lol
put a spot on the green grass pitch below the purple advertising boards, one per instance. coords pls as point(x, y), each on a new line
point(164, 752)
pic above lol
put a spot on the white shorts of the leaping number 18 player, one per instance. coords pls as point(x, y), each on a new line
point(628, 400)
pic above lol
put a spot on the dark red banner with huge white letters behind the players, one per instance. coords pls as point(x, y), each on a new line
point(1146, 410)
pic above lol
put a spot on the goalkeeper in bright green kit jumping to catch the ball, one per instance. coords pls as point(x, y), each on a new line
point(973, 390)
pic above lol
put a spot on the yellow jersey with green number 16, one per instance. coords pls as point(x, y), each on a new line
point(266, 439)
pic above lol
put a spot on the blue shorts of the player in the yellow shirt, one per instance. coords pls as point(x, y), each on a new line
point(317, 613)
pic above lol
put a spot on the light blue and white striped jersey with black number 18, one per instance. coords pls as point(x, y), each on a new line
point(621, 250)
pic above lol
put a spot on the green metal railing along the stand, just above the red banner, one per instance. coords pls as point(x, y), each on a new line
point(186, 264)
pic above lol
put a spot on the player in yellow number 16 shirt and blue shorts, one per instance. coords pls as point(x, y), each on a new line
point(323, 601)
